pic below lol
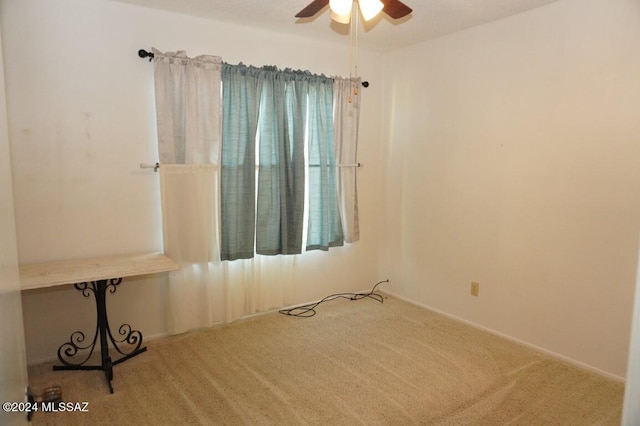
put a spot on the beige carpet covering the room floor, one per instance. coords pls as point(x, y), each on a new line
point(355, 362)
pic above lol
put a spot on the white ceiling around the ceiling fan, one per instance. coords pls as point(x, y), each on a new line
point(430, 18)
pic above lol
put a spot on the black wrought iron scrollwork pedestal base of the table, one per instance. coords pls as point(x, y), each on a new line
point(70, 349)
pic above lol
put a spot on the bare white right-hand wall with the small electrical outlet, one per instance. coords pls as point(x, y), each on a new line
point(512, 160)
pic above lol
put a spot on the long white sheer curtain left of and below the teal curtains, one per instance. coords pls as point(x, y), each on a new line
point(205, 291)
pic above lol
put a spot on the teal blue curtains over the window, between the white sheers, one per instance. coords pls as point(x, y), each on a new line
point(278, 112)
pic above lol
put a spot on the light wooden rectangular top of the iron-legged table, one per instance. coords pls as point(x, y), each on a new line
point(50, 274)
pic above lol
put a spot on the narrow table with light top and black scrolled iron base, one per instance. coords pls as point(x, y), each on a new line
point(96, 276)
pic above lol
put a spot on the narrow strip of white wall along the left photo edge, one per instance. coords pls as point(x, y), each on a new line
point(13, 367)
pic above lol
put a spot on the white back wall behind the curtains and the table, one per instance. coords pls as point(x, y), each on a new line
point(81, 119)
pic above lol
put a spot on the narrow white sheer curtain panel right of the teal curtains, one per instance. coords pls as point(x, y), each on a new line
point(346, 106)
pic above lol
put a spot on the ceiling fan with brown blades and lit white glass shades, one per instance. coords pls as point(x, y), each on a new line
point(341, 9)
